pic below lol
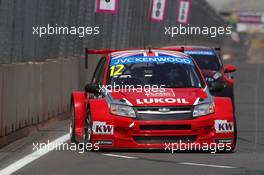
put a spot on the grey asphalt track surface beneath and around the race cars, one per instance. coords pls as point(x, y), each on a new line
point(247, 159)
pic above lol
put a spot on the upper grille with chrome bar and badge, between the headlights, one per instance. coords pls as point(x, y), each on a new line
point(158, 113)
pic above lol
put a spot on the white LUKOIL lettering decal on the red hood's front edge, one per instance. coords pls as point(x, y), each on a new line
point(162, 101)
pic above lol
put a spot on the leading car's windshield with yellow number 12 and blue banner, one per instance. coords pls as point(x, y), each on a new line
point(171, 72)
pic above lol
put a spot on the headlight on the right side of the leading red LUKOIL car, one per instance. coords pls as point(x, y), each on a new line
point(203, 109)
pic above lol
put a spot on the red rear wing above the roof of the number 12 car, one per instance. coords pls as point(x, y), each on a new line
point(108, 51)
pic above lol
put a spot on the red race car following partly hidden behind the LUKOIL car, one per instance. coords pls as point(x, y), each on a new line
point(213, 69)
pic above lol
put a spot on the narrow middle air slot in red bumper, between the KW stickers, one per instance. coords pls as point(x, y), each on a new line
point(165, 127)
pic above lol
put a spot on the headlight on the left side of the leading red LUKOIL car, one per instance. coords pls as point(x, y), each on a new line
point(122, 110)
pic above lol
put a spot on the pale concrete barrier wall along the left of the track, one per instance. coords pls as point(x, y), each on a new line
point(36, 91)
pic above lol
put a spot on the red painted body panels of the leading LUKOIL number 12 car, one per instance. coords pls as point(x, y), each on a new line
point(140, 134)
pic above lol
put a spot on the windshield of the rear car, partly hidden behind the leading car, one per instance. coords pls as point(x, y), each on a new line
point(206, 60)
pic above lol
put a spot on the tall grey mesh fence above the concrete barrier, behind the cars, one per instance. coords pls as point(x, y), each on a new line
point(130, 27)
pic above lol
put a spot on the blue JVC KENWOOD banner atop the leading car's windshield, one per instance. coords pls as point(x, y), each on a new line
point(150, 59)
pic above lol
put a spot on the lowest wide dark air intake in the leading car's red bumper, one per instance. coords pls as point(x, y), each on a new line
point(164, 139)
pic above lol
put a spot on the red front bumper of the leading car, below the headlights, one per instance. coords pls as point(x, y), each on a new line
point(139, 134)
